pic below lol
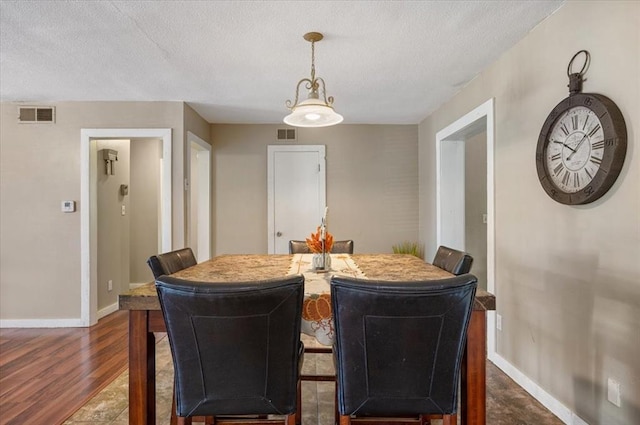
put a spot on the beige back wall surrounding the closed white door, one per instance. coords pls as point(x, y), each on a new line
point(372, 184)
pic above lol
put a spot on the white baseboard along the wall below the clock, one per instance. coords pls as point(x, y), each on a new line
point(546, 399)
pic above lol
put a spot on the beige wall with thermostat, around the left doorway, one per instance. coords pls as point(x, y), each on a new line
point(40, 167)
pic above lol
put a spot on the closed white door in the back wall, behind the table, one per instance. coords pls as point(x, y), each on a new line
point(296, 193)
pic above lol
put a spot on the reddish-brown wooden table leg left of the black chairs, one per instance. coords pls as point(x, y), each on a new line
point(142, 367)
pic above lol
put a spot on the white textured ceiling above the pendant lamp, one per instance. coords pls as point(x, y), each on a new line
point(385, 62)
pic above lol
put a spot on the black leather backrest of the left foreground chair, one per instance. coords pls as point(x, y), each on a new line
point(235, 345)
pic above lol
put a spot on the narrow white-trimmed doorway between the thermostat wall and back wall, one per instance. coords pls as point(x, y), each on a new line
point(199, 197)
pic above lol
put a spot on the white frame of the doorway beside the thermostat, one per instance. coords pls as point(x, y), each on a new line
point(88, 208)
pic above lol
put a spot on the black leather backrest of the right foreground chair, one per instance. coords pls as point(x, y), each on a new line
point(398, 345)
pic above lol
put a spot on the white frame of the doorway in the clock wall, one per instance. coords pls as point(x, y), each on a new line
point(450, 151)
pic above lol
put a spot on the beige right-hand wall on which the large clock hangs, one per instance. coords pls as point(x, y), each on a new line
point(567, 277)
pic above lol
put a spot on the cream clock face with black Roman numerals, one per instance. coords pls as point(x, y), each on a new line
point(575, 148)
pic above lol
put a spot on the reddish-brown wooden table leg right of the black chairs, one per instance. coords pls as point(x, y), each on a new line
point(473, 403)
